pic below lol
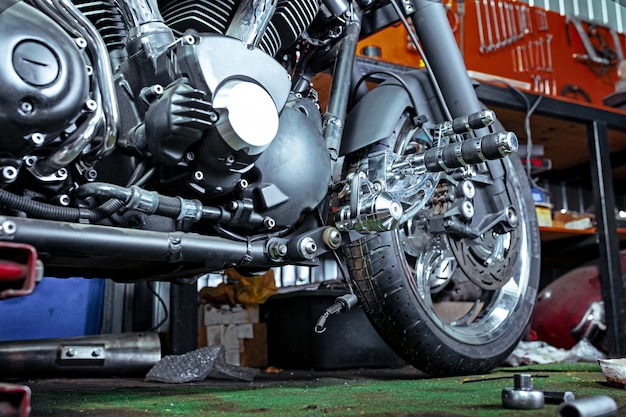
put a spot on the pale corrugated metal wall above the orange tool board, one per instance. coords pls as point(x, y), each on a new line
point(611, 13)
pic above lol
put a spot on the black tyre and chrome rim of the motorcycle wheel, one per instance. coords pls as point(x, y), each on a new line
point(445, 304)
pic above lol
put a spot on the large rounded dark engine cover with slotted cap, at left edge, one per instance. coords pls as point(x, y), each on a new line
point(44, 79)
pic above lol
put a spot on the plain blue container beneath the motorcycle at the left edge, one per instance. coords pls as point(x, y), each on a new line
point(65, 307)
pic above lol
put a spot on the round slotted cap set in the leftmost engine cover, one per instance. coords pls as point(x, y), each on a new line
point(35, 63)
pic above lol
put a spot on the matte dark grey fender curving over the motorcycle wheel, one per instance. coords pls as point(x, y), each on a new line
point(376, 114)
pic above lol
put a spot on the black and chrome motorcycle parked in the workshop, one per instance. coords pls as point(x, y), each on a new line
point(162, 140)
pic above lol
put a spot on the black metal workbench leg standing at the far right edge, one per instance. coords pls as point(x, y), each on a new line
point(608, 242)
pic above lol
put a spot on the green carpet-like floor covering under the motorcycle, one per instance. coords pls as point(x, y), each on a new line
point(325, 395)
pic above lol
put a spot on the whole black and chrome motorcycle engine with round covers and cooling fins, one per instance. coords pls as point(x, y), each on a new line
point(213, 116)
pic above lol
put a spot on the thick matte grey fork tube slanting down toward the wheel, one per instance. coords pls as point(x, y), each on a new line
point(446, 61)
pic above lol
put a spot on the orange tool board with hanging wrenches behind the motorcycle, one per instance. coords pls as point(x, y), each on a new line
point(526, 47)
